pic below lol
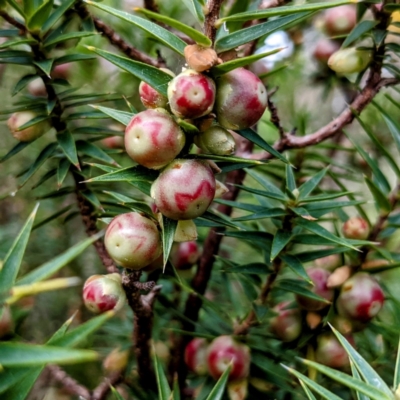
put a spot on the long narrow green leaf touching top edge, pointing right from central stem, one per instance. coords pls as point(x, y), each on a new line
point(286, 10)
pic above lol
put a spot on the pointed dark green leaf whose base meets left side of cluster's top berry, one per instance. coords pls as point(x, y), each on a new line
point(156, 78)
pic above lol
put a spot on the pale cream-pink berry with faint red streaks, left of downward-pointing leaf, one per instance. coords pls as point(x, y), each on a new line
point(133, 241)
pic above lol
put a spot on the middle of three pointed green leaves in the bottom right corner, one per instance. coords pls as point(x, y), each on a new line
point(349, 381)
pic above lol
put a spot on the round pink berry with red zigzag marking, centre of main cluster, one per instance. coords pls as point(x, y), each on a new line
point(184, 189)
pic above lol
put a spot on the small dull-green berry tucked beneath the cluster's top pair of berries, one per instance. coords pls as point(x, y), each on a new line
point(216, 140)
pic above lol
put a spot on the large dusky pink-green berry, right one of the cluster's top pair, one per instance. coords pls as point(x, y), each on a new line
point(241, 99)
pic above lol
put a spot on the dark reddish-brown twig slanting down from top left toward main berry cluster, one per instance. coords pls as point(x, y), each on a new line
point(116, 40)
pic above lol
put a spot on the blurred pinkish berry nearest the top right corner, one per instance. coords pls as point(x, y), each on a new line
point(340, 20)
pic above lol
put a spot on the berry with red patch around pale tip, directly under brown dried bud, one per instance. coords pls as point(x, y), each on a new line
point(191, 94)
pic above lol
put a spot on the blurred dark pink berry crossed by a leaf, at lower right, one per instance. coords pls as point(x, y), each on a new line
point(319, 277)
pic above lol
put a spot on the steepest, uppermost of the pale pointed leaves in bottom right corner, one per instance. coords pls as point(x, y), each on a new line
point(366, 371)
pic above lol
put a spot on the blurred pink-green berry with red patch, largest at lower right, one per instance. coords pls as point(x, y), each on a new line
point(361, 298)
